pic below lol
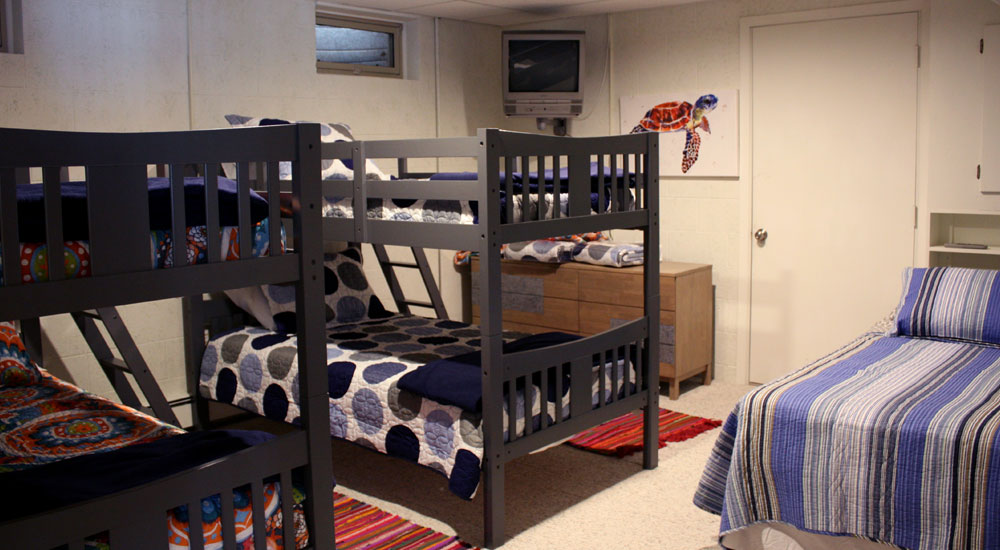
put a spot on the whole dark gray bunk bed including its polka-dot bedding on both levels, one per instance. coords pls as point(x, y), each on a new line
point(519, 395)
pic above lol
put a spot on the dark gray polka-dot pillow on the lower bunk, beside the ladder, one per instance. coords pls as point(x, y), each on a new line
point(349, 297)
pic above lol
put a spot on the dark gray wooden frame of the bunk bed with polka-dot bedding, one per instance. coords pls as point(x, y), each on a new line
point(568, 370)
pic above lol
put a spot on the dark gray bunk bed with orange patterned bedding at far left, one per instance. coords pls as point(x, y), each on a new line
point(122, 269)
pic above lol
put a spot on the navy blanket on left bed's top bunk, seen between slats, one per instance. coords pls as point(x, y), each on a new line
point(31, 207)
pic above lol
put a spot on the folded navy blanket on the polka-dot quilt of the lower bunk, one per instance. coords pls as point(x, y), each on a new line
point(458, 380)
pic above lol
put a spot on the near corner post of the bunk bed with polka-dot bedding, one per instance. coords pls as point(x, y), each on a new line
point(491, 328)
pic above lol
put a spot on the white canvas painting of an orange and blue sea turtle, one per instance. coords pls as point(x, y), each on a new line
point(698, 130)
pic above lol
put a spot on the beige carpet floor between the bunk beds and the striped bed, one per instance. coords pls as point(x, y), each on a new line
point(563, 497)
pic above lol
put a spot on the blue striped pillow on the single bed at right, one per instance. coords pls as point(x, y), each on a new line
point(950, 302)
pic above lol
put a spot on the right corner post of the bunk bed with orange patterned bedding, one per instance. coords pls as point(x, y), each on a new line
point(311, 320)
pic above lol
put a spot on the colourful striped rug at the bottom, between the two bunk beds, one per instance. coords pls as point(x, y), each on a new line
point(361, 526)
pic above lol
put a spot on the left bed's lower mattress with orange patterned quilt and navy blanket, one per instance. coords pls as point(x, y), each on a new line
point(60, 445)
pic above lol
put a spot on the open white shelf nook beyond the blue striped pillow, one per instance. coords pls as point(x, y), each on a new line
point(974, 227)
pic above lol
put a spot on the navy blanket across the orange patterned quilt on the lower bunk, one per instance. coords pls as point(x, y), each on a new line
point(81, 478)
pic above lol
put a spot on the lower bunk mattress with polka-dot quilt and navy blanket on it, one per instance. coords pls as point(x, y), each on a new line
point(380, 397)
